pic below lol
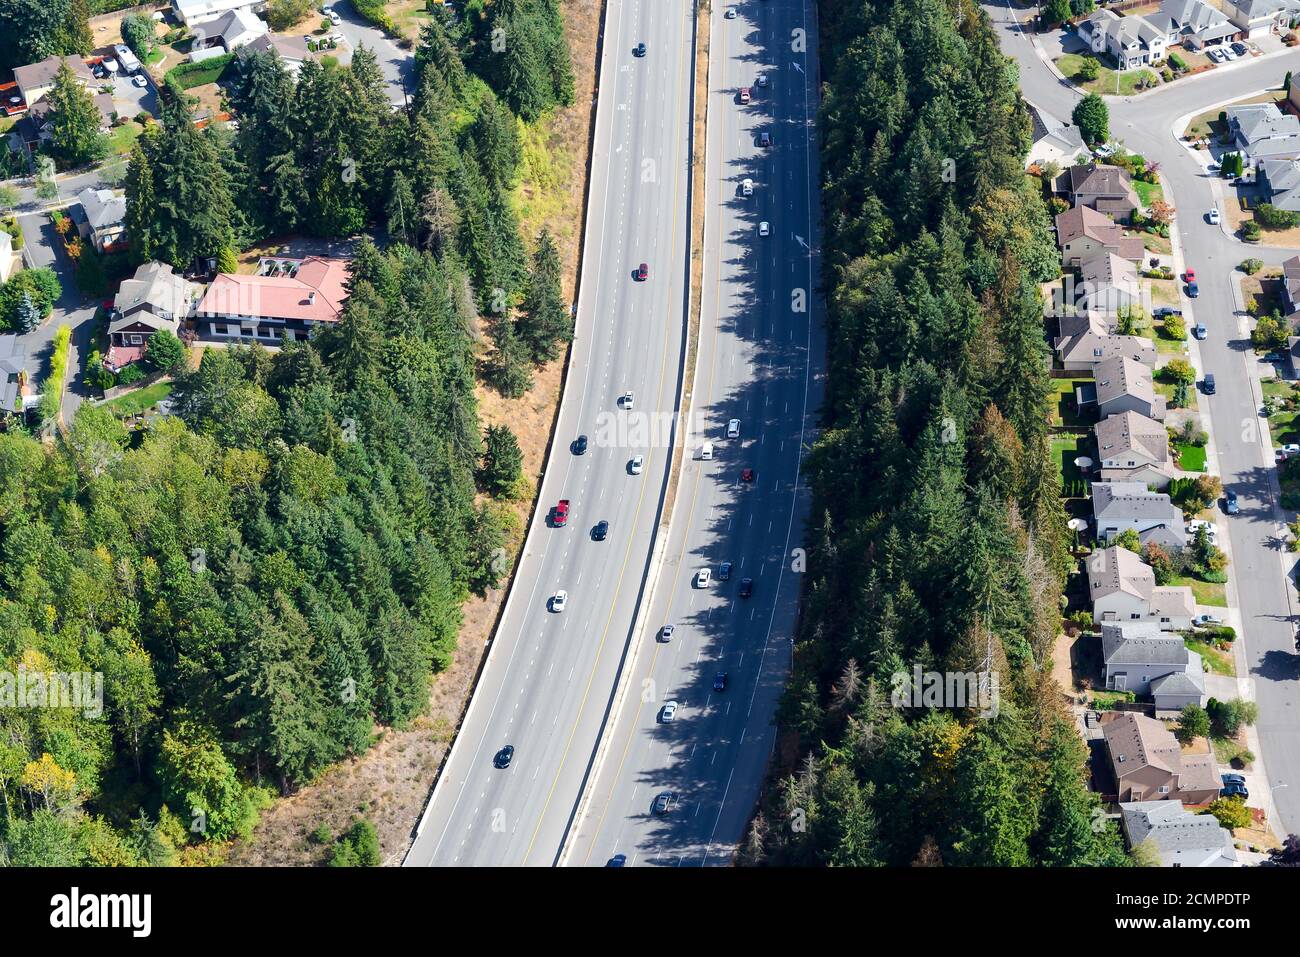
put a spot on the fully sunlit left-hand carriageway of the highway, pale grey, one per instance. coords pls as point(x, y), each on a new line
point(548, 685)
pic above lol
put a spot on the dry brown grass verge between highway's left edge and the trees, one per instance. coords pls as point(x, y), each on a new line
point(392, 782)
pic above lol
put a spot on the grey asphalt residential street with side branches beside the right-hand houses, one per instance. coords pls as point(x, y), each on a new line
point(1147, 124)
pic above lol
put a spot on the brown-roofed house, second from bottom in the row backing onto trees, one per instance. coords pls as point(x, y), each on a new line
point(1151, 767)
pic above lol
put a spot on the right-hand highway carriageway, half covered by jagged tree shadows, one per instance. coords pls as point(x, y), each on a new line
point(762, 362)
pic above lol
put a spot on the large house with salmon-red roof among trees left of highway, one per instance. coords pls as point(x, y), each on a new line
point(287, 296)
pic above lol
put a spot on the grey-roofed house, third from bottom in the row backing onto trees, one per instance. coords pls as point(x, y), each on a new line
point(1143, 660)
